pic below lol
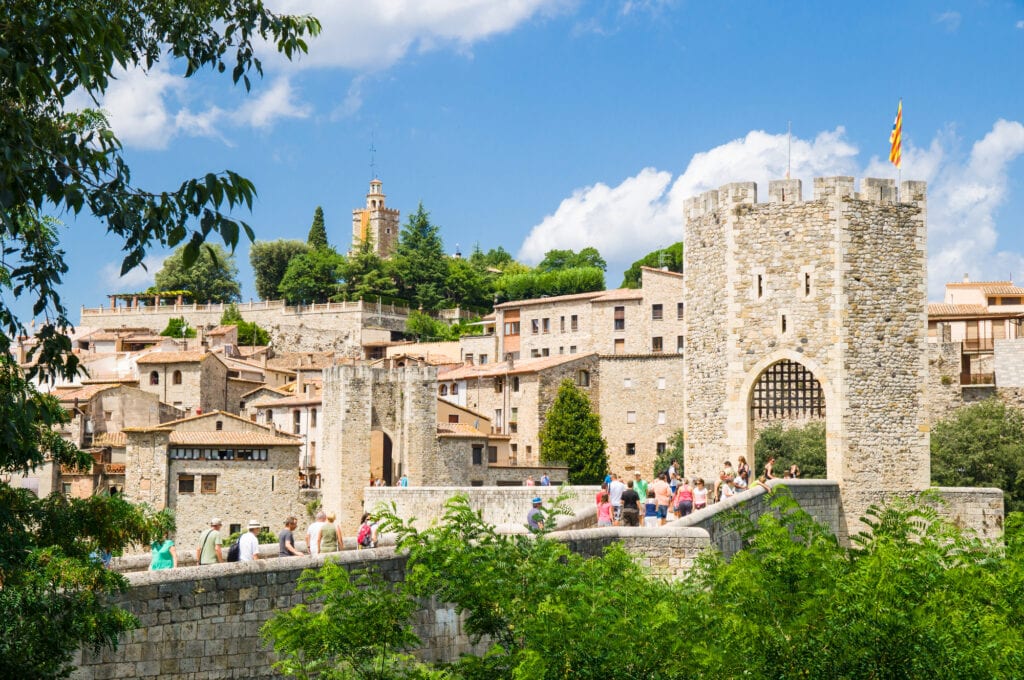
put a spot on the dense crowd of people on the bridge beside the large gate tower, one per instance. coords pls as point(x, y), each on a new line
point(625, 502)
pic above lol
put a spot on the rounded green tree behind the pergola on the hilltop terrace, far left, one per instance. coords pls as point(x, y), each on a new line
point(212, 277)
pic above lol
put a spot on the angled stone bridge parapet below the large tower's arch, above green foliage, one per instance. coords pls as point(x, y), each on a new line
point(820, 498)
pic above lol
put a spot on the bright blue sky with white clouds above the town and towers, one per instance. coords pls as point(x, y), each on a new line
point(564, 124)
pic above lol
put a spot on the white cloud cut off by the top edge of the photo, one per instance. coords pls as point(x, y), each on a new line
point(372, 36)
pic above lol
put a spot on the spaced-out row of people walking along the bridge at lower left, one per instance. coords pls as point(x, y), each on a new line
point(323, 536)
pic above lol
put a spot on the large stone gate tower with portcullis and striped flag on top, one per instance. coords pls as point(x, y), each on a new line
point(810, 310)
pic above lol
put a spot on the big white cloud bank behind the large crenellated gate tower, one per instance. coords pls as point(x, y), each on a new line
point(646, 211)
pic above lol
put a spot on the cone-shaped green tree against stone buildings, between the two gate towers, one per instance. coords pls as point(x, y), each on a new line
point(572, 435)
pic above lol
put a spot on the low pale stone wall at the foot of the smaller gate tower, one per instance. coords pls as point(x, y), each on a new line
point(505, 507)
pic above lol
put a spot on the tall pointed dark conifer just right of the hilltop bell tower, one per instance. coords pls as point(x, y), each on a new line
point(420, 263)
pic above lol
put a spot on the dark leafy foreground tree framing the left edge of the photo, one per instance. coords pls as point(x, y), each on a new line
point(55, 596)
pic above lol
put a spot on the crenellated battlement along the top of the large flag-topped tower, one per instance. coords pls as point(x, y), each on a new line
point(873, 190)
